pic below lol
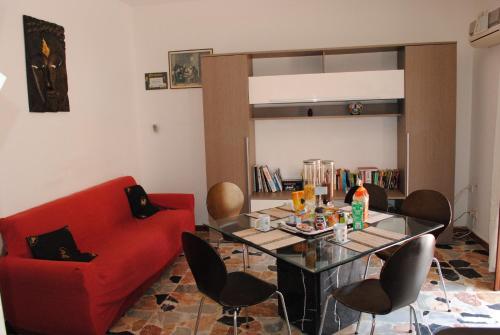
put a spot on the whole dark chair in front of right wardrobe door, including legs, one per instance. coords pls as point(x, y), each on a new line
point(427, 205)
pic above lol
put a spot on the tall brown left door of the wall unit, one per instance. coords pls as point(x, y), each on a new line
point(228, 127)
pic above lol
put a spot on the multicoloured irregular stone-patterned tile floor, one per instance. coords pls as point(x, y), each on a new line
point(171, 304)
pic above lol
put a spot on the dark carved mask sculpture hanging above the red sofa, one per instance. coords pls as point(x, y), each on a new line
point(45, 66)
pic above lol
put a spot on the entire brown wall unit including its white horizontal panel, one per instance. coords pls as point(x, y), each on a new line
point(425, 109)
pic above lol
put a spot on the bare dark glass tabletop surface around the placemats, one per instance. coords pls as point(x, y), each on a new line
point(317, 254)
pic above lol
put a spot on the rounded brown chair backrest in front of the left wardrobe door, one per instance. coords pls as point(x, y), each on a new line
point(224, 200)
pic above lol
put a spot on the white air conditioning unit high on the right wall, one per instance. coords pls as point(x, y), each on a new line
point(484, 32)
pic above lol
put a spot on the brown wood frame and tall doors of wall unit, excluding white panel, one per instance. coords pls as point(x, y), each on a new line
point(426, 117)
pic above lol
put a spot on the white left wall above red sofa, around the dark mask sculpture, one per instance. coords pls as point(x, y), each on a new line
point(48, 155)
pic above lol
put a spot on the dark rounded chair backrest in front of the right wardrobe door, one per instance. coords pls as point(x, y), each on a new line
point(428, 205)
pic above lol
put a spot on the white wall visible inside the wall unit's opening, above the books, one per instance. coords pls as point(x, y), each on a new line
point(350, 143)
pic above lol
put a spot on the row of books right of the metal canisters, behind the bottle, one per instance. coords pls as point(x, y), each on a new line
point(388, 179)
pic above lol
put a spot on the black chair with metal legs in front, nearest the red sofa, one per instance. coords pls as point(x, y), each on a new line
point(234, 290)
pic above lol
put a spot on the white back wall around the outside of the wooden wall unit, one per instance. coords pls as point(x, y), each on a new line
point(174, 158)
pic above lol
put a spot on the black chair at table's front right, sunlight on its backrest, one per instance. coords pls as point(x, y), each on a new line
point(400, 281)
